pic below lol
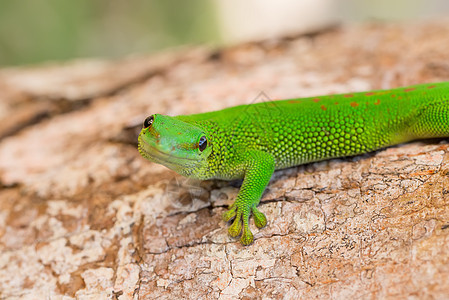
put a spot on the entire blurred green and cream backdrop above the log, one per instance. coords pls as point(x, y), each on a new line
point(41, 30)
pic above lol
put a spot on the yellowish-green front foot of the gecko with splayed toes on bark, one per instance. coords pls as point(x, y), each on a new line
point(241, 213)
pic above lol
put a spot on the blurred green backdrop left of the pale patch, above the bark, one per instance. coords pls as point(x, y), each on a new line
point(40, 30)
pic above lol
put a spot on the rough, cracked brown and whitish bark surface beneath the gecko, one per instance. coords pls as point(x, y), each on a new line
point(83, 215)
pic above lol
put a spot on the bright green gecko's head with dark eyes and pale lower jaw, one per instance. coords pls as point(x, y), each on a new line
point(178, 145)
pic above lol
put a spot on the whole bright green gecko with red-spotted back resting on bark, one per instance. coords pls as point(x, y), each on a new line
point(252, 141)
